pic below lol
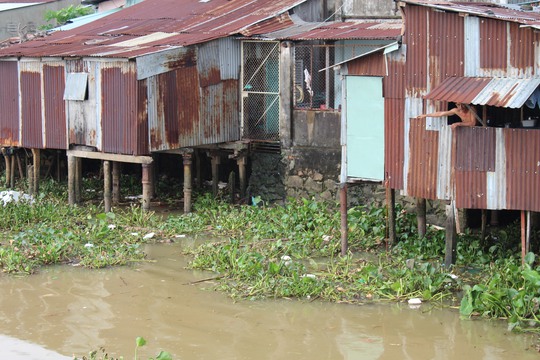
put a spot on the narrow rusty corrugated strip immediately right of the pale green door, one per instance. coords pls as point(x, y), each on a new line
point(394, 142)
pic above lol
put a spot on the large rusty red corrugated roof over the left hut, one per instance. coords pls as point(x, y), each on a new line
point(188, 22)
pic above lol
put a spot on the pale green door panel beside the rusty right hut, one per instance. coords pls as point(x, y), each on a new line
point(365, 128)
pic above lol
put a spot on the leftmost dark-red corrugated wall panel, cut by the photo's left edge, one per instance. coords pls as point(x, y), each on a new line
point(9, 104)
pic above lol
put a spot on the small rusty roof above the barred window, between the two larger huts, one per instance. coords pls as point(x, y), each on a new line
point(338, 30)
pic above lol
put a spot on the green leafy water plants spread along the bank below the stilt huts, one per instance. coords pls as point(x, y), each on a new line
point(284, 251)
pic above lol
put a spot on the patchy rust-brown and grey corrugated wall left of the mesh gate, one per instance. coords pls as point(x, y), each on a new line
point(196, 104)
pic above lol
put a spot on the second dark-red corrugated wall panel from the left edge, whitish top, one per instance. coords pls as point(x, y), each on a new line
point(31, 106)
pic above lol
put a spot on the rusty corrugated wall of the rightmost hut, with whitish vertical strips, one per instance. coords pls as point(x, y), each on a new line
point(488, 168)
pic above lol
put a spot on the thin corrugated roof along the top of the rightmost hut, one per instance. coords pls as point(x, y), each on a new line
point(488, 10)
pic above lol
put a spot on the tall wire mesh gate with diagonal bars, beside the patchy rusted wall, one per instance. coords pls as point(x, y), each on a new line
point(260, 90)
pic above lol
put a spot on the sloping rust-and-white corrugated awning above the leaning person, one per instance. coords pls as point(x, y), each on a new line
point(501, 92)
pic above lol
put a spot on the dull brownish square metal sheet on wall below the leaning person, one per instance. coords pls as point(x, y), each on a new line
point(475, 149)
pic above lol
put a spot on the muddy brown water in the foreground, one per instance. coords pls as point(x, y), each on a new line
point(64, 311)
